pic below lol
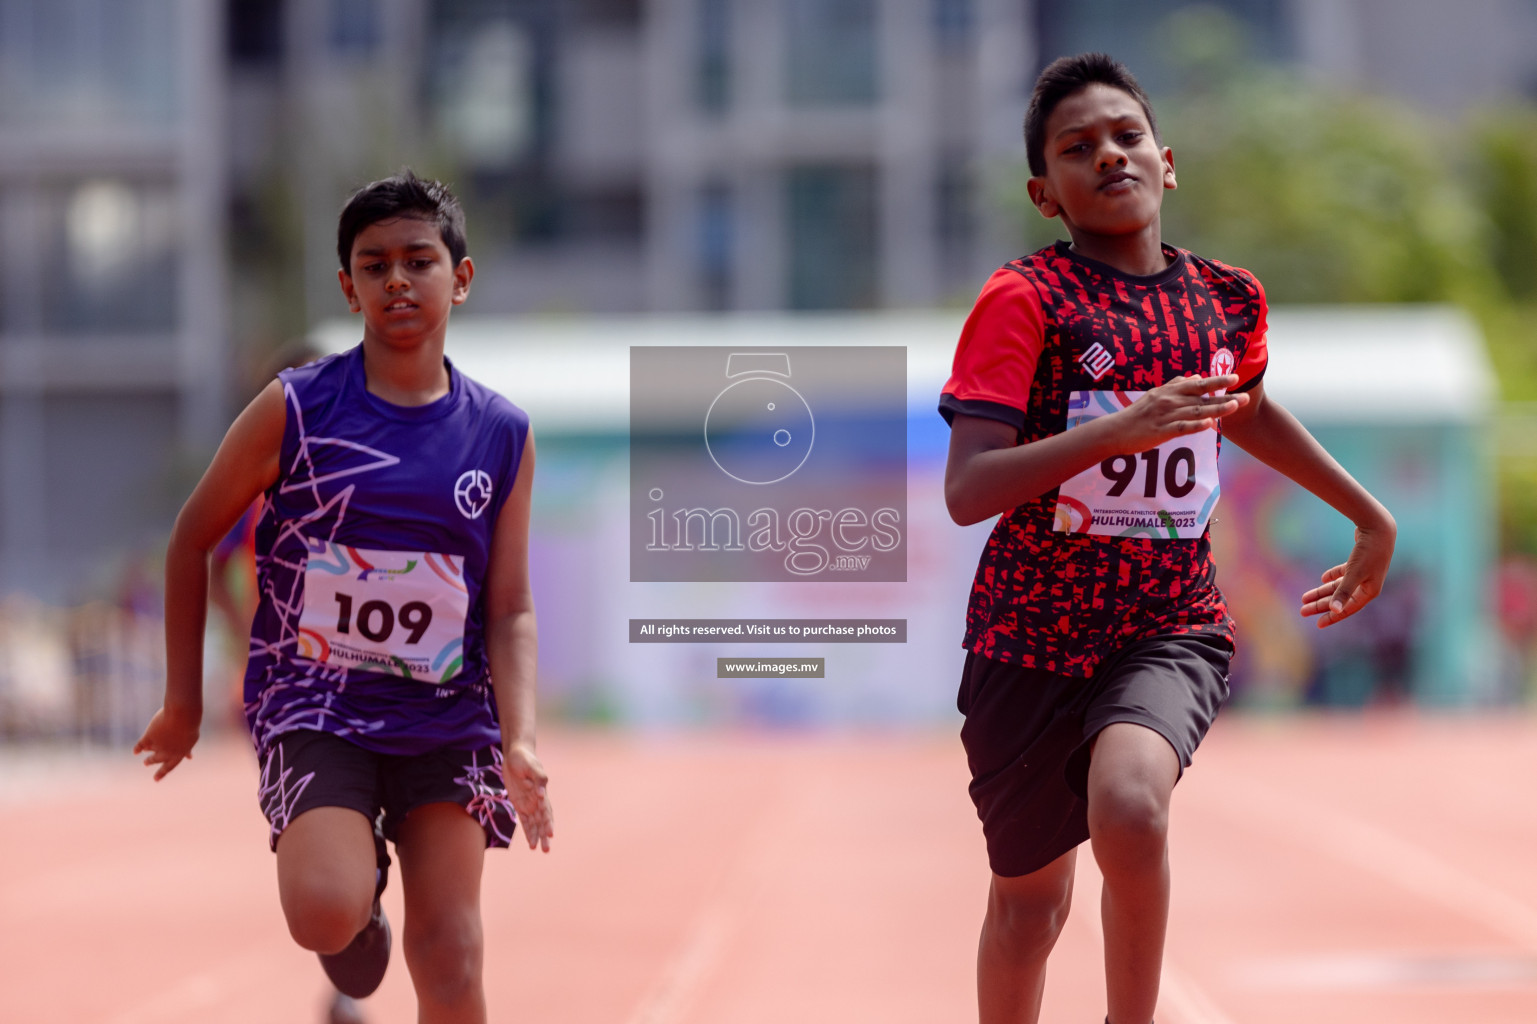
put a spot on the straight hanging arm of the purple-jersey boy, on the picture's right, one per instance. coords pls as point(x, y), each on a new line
point(513, 651)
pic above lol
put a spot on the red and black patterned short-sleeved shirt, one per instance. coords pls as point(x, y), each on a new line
point(1055, 324)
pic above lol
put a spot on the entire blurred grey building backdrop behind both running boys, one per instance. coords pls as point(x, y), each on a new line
point(171, 171)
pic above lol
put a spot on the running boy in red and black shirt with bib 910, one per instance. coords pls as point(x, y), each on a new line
point(1092, 390)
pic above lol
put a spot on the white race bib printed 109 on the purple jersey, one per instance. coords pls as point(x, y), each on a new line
point(385, 611)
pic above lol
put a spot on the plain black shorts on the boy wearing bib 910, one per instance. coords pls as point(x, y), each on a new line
point(1027, 736)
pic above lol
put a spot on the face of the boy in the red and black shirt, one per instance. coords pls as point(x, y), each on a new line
point(1106, 173)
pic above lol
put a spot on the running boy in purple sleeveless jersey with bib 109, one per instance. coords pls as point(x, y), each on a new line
point(391, 680)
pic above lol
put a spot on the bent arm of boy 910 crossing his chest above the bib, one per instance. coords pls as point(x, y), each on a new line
point(989, 473)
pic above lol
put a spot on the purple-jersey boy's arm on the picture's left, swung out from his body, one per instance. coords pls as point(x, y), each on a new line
point(245, 467)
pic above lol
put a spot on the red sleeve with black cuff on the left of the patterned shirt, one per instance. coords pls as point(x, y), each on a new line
point(998, 351)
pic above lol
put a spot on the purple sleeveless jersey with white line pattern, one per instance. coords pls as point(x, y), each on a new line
point(371, 554)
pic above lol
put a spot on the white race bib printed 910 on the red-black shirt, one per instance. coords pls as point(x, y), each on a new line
point(1166, 493)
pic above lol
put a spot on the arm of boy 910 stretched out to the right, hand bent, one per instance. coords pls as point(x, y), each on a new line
point(1273, 436)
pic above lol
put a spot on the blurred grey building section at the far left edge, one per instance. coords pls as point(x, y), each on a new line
point(111, 294)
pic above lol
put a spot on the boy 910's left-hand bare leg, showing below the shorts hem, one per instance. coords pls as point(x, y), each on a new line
point(1024, 919)
